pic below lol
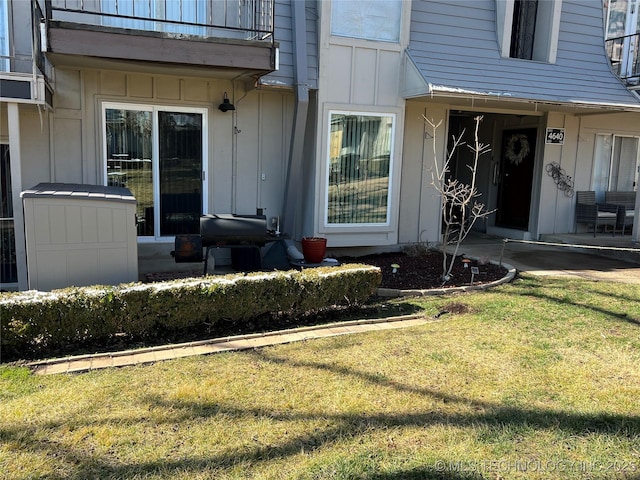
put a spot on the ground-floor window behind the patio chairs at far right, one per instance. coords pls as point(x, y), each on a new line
point(616, 164)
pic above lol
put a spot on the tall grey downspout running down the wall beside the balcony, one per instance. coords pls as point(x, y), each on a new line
point(291, 218)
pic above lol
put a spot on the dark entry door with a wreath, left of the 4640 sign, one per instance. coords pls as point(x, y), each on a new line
point(516, 178)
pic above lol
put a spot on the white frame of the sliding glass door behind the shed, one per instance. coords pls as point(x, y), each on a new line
point(154, 109)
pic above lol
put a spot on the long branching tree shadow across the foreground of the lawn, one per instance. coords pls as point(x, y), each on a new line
point(81, 462)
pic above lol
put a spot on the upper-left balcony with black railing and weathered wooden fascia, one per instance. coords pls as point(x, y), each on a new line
point(225, 35)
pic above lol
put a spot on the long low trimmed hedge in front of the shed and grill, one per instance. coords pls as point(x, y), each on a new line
point(34, 323)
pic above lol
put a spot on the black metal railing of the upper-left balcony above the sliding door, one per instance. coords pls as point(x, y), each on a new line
point(241, 19)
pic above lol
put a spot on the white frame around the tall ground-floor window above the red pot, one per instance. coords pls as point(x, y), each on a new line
point(345, 227)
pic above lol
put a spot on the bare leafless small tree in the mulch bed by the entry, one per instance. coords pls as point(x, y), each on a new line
point(460, 207)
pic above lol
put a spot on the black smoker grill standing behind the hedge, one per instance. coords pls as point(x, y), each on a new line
point(248, 232)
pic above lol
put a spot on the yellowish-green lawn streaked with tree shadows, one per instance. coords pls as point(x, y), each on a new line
point(539, 379)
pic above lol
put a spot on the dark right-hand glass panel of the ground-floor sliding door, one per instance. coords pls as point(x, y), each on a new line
point(180, 172)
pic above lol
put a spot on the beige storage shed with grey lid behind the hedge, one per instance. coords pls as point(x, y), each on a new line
point(79, 235)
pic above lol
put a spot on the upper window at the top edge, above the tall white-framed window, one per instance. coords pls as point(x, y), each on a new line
point(368, 20)
